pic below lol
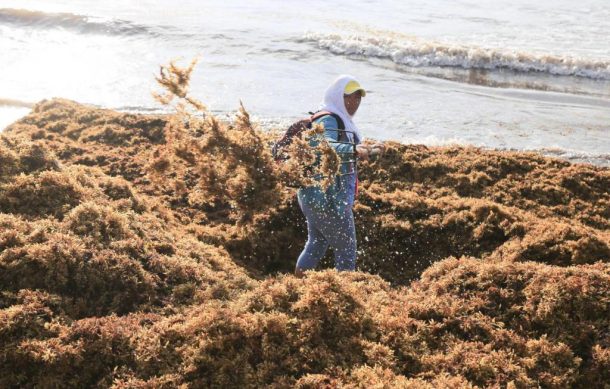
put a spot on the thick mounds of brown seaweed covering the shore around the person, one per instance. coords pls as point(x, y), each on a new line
point(144, 251)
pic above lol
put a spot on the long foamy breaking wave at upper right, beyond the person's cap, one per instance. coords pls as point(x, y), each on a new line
point(418, 53)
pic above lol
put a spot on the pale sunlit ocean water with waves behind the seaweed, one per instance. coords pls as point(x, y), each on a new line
point(500, 74)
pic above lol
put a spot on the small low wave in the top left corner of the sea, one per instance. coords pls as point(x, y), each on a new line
point(80, 23)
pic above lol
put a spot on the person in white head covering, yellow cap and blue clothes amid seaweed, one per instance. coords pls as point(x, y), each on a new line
point(329, 215)
